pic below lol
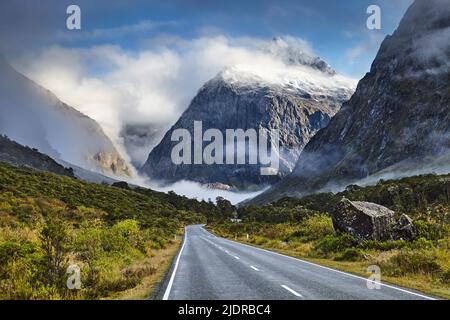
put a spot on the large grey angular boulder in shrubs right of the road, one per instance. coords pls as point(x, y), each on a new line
point(363, 220)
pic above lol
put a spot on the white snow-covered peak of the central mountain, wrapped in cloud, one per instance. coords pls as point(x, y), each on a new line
point(290, 64)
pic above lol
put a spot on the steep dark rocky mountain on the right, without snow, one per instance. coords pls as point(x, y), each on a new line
point(398, 121)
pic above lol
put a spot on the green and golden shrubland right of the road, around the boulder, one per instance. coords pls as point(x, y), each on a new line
point(303, 228)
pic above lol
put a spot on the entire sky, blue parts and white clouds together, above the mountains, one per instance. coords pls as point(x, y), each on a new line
point(140, 63)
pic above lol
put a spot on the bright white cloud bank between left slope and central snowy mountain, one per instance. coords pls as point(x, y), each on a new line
point(152, 85)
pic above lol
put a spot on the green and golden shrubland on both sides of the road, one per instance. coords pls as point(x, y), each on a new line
point(123, 239)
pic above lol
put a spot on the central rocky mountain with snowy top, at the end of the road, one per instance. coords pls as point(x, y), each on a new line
point(297, 96)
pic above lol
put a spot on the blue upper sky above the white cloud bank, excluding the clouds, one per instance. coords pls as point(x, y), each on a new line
point(336, 29)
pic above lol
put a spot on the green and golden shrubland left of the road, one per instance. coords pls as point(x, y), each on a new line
point(122, 240)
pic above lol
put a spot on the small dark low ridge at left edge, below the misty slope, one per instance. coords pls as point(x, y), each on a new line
point(18, 155)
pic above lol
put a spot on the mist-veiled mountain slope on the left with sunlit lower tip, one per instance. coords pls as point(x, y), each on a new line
point(35, 117)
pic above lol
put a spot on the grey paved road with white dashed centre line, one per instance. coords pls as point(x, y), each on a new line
point(209, 267)
